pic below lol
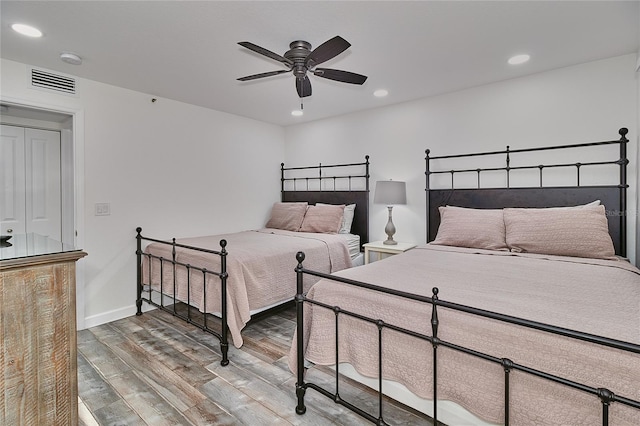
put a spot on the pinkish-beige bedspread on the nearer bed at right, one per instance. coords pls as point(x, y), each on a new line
point(594, 296)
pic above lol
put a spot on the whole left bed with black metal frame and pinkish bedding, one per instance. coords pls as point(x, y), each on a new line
point(220, 283)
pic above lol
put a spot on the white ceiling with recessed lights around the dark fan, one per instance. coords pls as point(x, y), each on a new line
point(187, 50)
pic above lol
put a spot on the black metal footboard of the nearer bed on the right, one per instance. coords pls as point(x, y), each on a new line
point(605, 396)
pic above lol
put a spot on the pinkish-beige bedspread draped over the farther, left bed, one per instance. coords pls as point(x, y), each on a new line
point(260, 265)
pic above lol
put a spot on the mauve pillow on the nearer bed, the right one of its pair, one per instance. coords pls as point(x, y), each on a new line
point(577, 232)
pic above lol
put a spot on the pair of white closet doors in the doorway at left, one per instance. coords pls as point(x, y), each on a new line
point(30, 182)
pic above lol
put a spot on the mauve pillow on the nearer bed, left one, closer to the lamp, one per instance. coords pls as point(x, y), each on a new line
point(472, 228)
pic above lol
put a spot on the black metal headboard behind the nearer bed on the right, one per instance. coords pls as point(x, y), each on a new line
point(613, 197)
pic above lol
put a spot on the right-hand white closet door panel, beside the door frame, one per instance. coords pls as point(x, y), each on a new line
point(42, 182)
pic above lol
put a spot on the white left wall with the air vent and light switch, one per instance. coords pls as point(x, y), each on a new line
point(172, 168)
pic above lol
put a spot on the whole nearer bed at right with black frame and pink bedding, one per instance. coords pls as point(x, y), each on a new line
point(471, 335)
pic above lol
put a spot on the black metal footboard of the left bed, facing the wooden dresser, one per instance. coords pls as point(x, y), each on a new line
point(145, 290)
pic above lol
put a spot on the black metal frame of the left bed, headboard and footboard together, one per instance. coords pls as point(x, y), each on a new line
point(201, 319)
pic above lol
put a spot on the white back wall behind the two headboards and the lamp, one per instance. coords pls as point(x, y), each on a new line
point(583, 103)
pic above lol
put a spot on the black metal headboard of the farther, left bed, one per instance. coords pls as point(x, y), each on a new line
point(313, 185)
